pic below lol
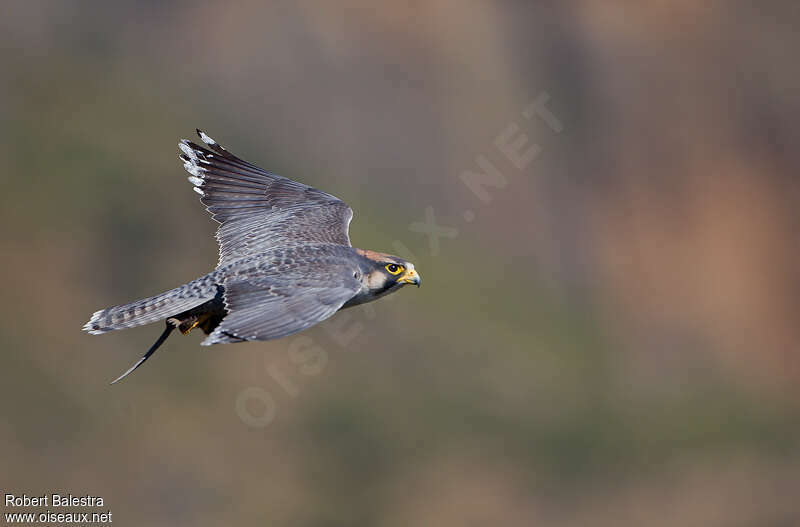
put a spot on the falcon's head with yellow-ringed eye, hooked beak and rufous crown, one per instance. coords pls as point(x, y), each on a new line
point(381, 274)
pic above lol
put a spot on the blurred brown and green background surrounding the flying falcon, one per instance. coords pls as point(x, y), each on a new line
point(609, 339)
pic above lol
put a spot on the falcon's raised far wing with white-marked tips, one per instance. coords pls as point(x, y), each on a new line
point(258, 210)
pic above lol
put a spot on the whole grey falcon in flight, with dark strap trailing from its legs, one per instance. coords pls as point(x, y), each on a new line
point(285, 259)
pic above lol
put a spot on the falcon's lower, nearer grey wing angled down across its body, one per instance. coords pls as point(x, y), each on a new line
point(271, 307)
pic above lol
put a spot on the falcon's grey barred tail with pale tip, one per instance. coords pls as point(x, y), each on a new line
point(153, 309)
